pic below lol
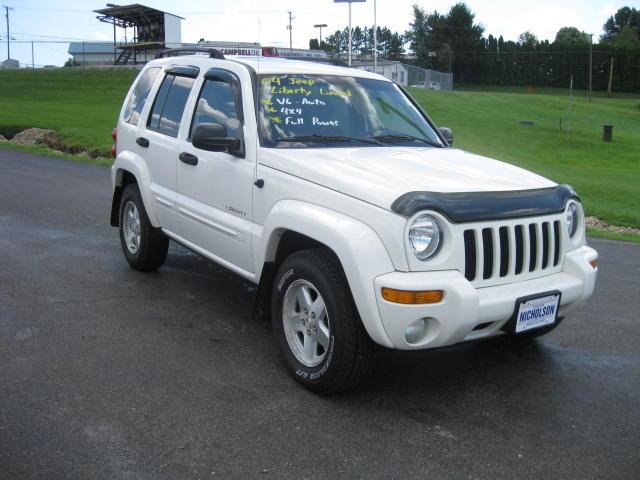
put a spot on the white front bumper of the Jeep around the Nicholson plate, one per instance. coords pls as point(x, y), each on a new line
point(464, 308)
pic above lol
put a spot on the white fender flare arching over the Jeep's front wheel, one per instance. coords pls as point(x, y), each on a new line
point(359, 249)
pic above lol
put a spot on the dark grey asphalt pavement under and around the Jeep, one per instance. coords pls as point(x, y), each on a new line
point(109, 373)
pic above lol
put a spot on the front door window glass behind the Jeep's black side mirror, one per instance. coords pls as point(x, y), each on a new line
point(217, 104)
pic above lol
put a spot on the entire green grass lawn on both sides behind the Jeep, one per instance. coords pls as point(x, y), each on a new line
point(82, 106)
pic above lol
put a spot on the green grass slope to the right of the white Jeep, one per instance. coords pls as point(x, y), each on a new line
point(606, 175)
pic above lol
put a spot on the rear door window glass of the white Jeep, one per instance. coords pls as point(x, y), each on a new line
point(169, 105)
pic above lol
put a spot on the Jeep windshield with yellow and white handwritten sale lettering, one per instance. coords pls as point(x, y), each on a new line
point(298, 111)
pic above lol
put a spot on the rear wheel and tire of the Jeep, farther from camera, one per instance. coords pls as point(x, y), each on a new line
point(145, 247)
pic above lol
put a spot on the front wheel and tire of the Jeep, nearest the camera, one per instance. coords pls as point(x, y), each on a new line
point(347, 356)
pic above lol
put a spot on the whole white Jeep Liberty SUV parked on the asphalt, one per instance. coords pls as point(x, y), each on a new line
point(331, 189)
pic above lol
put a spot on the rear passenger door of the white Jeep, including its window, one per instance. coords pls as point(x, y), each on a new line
point(157, 140)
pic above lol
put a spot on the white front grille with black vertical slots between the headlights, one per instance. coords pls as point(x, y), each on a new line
point(496, 252)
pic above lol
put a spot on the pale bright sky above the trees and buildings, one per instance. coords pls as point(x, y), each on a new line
point(250, 20)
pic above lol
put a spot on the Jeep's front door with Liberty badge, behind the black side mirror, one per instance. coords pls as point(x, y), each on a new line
point(215, 188)
